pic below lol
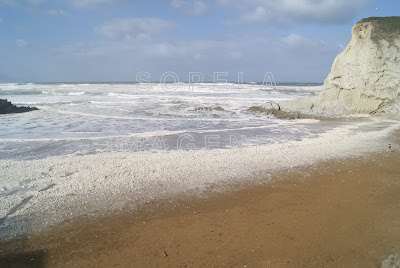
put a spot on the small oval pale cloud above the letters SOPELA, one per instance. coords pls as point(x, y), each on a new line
point(130, 29)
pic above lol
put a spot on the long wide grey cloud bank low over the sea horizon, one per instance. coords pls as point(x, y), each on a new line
point(291, 58)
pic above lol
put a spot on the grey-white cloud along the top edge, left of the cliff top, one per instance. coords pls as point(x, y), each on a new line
point(294, 11)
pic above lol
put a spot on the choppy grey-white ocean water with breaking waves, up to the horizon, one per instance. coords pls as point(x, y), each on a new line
point(88, 118)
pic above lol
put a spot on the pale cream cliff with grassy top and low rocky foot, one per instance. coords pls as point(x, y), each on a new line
point(365, 77)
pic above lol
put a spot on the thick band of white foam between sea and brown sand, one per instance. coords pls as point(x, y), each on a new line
point(36, 194)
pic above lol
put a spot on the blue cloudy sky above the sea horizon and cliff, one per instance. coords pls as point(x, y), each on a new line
point(114, 40)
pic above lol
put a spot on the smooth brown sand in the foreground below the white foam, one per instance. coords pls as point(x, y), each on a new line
point(343, 213)
